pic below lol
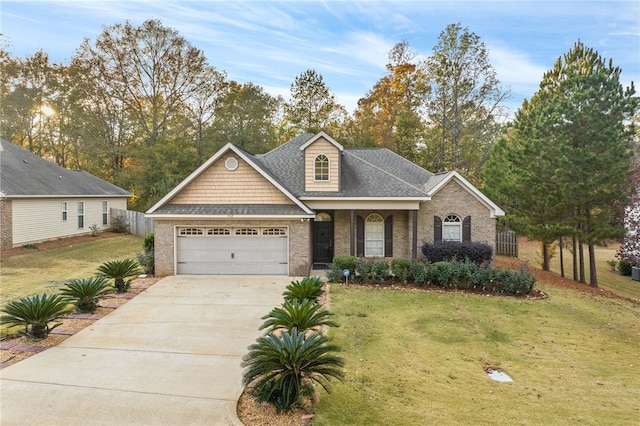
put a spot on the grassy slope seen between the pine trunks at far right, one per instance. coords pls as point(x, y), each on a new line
point(608, 280)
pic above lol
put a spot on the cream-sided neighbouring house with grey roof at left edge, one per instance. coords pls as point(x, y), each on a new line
point(41, 201)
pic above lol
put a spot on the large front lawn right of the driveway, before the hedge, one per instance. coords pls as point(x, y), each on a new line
point(417, 358)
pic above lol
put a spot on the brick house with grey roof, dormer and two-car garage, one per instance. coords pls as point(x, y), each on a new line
point(306, 201)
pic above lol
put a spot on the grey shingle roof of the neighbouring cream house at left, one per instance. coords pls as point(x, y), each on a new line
point(25, 175)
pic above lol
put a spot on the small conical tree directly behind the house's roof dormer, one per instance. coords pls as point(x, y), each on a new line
point(312, 107)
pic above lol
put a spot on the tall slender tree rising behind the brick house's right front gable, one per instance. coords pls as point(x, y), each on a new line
point(465, 104)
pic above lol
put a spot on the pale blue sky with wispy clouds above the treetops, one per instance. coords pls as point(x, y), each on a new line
point(269, 43)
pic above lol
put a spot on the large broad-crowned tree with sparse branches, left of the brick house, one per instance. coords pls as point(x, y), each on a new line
point(150, 70)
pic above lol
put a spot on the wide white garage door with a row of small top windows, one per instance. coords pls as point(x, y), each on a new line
point(232, 251)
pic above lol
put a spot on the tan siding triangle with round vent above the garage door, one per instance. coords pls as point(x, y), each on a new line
point(217, 185)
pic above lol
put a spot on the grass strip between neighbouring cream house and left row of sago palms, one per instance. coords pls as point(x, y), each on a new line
point(47, 271)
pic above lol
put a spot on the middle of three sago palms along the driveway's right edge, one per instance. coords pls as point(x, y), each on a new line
point(303, 315)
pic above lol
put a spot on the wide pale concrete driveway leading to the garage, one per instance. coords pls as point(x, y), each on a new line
point(170, 356)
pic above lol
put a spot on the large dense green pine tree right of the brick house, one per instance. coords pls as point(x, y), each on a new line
point(568, 158)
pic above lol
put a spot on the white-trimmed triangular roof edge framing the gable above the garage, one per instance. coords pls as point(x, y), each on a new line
point(162, 206)
